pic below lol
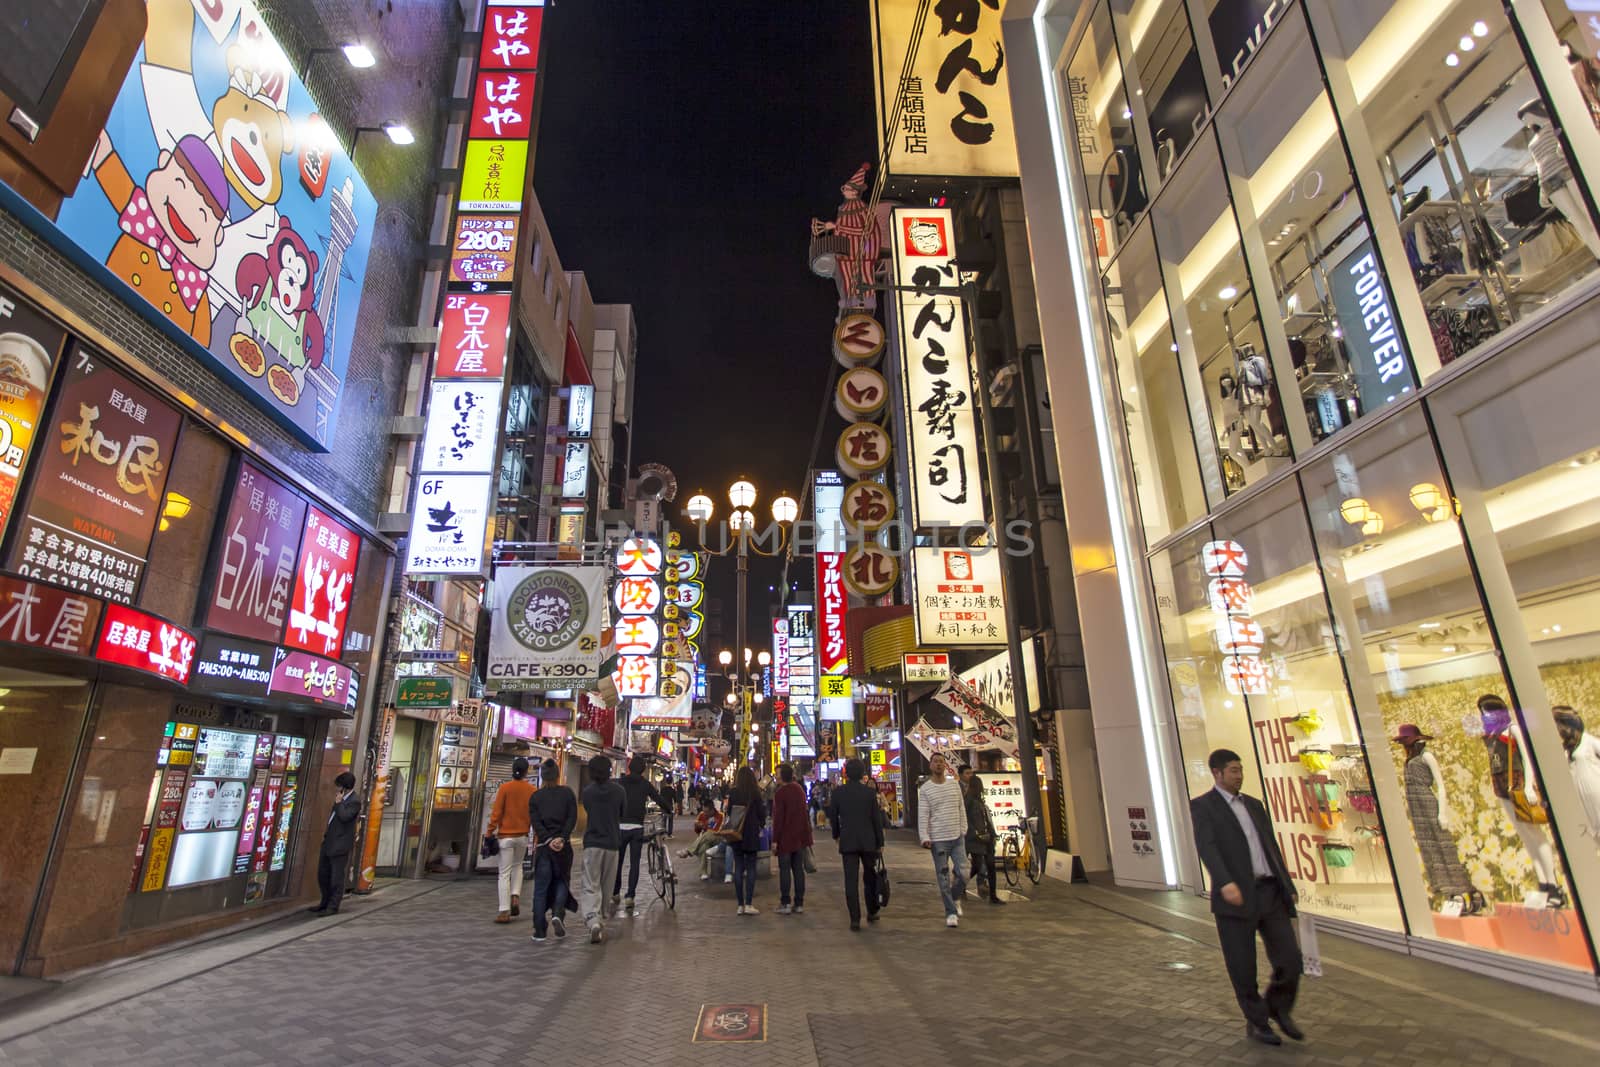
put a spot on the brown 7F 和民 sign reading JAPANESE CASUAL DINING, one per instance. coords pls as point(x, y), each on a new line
point(97, 495)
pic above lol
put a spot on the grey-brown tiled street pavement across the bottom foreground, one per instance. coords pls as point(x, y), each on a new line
point(1057, 980)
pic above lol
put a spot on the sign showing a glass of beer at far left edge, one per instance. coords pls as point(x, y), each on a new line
point(30, 346)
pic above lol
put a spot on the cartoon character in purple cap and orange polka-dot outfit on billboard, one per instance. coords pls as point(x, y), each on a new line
point(172, 228)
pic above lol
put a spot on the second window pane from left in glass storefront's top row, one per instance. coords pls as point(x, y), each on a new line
point(1170, 76)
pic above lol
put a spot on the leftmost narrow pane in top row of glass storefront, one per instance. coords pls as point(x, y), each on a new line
point(1103, 126)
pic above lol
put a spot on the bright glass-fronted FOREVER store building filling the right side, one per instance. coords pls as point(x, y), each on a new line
point(1319, 297)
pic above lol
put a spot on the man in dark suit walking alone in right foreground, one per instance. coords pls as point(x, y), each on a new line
point(1250, 893)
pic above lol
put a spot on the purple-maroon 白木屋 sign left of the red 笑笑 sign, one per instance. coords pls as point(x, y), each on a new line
point(255, 557)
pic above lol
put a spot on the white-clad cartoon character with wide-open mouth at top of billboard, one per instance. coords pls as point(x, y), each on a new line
point(249, 129)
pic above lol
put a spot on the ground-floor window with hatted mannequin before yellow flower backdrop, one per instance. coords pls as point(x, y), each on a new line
point(1404, 591)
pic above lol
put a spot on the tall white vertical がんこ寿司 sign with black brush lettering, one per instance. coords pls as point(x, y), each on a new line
point(942, 430)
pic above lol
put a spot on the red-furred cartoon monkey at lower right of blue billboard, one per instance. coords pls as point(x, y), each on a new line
point(279, 294)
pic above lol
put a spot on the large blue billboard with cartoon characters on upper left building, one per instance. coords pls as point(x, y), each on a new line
point(222, 199)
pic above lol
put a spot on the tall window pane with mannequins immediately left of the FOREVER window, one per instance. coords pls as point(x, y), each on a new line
point(1198, 236)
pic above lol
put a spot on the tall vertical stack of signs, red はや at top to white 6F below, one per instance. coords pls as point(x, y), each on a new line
point(462, 438)
